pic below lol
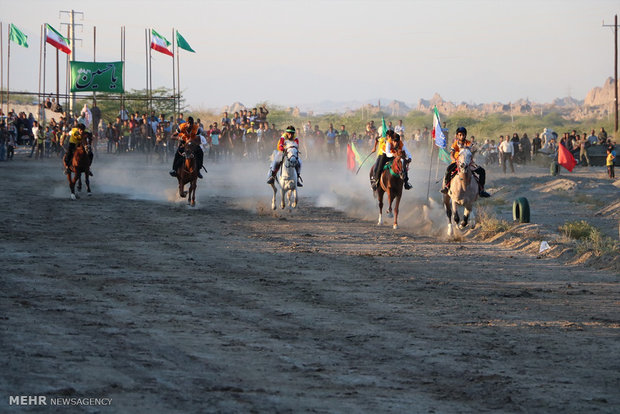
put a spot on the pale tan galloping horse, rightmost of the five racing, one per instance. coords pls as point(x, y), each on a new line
point(463, 191)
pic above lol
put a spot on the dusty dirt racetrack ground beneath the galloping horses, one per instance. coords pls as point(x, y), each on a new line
point(129, 294)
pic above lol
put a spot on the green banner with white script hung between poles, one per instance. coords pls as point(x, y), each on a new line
point(97, 77)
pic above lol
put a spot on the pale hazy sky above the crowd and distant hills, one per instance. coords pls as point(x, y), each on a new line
point(300, 53)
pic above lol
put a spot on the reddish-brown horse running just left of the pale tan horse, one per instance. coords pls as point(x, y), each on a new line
point(391, 182)
